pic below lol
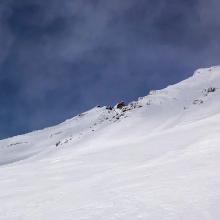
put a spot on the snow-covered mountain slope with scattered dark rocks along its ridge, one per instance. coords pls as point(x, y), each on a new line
point(155, 159)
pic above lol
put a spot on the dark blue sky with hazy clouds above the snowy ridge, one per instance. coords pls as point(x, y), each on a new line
point(62, 57)
